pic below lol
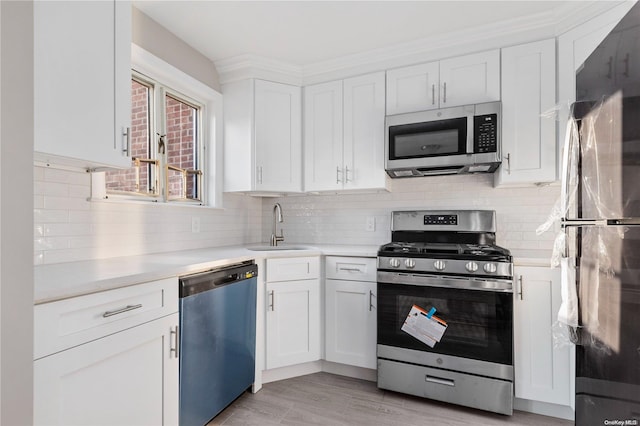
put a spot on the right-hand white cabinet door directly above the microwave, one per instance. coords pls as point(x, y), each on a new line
point(470, 79)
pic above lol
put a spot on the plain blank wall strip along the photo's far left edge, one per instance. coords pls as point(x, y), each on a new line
point(16, 213)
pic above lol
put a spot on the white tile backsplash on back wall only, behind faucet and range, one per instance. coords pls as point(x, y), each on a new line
point(340, 219)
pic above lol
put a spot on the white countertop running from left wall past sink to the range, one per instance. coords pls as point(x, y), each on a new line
point(65, 280)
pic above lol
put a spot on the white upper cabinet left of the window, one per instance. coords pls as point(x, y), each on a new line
point(82, 83)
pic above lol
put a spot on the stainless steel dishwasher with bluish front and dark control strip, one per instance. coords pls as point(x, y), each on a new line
point(217, 340)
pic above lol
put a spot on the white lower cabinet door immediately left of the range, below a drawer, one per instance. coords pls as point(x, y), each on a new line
point(351, 322)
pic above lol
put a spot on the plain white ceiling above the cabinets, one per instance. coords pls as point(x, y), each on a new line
point(309, 32)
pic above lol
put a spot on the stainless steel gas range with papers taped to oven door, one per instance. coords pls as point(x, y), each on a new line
point(445, 309)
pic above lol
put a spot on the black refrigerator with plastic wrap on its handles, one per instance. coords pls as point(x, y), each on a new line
point(601, 205)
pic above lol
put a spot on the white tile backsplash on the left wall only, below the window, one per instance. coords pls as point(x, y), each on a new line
point(67, 227)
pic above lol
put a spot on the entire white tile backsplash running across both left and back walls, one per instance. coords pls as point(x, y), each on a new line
point(67, 227)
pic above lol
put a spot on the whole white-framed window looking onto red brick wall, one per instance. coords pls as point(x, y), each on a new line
point(176, 137)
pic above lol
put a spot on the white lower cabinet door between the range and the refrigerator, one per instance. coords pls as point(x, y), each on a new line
point(542, 370)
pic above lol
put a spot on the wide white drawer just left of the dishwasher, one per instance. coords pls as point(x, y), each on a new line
point(71, 322)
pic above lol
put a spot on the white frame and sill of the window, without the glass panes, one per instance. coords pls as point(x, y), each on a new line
point(176, 83)
